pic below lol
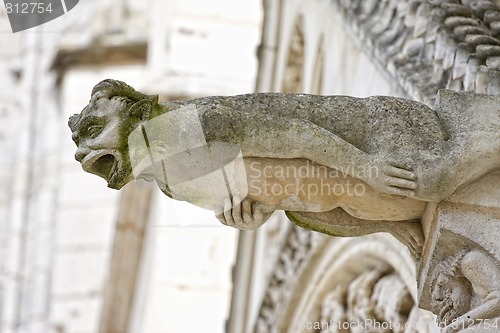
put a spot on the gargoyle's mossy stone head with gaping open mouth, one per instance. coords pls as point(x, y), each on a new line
point(101, 130)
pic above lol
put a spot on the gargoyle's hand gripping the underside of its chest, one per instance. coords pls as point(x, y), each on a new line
point(246, 215)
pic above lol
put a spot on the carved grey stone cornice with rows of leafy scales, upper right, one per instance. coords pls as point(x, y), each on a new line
point(429, 45)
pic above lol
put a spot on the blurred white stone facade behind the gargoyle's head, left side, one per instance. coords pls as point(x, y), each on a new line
point(76, 256)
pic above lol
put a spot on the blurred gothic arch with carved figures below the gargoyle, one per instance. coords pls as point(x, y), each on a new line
point(324, 281)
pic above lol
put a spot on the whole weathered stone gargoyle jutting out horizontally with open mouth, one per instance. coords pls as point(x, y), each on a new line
point(340, 165)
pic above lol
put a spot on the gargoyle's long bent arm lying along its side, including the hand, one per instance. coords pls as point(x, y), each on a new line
point(275, 137)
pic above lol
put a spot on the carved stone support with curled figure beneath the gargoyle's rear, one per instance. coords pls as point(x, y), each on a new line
point(459, 275)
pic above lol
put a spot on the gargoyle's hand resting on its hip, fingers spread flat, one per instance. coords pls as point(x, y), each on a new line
point(396, 179)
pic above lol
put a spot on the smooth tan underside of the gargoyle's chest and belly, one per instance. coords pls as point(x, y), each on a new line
point(292, 185)
